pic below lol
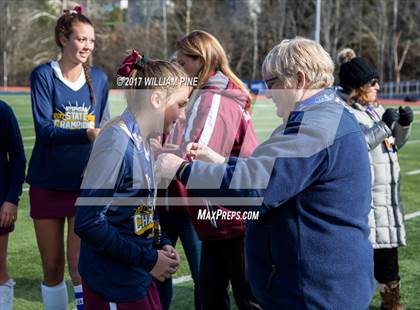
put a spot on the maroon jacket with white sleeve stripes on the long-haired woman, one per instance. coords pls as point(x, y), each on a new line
point(218, 117)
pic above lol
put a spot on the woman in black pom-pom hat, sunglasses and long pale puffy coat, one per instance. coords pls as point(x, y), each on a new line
point(386, 131)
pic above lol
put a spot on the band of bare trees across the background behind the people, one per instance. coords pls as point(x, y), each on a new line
point(384, 31)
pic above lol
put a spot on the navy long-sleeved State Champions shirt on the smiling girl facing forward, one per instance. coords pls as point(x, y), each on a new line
point(61, 117)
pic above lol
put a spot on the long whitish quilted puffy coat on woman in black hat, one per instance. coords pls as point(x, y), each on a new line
point(386, 219)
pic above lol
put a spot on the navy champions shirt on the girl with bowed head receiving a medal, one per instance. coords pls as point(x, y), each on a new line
point(115, 217)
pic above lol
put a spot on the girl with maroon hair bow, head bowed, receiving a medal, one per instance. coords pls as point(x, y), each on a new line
point(122, 249)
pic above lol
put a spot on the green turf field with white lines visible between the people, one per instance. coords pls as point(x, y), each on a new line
point(24, 260)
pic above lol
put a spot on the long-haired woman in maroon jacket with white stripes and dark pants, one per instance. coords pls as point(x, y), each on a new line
point(218, 116)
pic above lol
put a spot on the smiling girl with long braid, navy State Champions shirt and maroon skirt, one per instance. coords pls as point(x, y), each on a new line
point(69, 101)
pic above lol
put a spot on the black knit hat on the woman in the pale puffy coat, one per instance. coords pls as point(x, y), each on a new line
point(356, 73)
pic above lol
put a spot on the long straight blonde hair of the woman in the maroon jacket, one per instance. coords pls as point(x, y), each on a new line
point(202, 45)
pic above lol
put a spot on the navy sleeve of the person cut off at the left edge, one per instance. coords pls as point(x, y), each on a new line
point(12, 157)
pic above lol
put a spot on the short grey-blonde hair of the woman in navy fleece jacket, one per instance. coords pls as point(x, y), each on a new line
point(289, 57)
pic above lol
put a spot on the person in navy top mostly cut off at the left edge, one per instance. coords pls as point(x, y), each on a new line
point(12, 176)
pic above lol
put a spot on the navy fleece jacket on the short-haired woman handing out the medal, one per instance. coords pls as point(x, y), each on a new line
point(310, 248)
